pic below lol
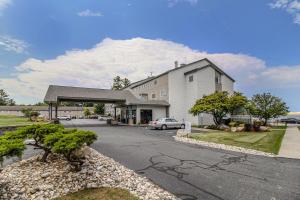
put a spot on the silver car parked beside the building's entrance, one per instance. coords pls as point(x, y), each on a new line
point(165, 123)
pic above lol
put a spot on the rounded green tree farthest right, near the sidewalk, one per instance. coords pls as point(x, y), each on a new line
point(266, 106)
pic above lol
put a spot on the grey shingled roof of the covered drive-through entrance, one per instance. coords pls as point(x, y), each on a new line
point(56, 93)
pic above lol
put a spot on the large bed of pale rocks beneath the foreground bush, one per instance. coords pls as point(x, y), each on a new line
point(32, 179)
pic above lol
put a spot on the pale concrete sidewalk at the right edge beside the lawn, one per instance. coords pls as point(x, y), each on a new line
point(290, 146)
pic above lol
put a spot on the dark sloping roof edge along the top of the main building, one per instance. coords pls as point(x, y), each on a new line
point(211, 64)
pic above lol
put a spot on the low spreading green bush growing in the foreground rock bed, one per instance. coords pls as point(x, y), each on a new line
point(50, 138)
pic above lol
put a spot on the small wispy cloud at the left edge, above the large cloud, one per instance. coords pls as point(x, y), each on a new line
point(11, 44)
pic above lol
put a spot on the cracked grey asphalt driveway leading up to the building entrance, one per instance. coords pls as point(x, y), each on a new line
point(195, 172)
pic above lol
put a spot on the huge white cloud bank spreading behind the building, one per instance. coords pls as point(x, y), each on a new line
point(136, 58)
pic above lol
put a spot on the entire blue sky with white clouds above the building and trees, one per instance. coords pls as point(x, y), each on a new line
point(90, 41)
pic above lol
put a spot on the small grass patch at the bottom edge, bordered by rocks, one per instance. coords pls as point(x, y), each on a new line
point(100, 194)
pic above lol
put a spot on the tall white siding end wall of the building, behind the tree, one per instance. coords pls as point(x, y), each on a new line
point(183, 94)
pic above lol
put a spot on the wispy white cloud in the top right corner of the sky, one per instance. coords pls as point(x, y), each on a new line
point(290, 6)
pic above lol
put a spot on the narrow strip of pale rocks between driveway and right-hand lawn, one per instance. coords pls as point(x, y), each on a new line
point(222, 146)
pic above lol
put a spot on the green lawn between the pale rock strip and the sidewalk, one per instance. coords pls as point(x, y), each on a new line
point(266, 141)
